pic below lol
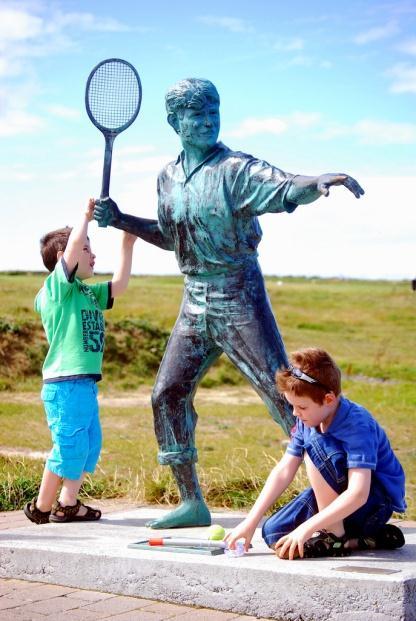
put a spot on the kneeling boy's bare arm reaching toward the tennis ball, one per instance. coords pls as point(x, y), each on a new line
point(278, 480)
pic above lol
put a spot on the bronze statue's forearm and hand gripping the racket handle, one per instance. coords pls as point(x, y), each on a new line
point(107, 213)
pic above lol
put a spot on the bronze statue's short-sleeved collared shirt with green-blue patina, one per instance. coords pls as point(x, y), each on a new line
point(210, 216)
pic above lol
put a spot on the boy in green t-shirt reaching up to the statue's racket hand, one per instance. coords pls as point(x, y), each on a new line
point(72, 317)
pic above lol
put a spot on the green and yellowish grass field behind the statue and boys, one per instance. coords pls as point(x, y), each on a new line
point(367, 326)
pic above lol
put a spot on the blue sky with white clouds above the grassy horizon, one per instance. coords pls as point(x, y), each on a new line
point(311, 87)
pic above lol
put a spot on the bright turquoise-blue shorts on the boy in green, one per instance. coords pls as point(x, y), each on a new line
point(71, 408)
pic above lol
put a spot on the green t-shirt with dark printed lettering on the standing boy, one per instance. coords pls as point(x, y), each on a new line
point(74, 324)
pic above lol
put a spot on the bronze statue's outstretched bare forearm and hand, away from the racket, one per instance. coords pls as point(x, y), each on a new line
point(307, 189)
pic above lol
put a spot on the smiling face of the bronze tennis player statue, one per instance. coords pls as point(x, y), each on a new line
point(199, 127)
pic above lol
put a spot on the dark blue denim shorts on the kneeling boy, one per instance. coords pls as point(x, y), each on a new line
point(329, 458)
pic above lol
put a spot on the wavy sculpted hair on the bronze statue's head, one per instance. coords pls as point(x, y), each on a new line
point(190, 93)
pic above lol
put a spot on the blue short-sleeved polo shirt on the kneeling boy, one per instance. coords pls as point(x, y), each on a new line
point(365, 444)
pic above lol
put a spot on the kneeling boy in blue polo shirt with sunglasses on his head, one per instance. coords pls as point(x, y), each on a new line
point(356, 481)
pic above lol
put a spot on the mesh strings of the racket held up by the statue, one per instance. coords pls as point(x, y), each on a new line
point(114, 95)
